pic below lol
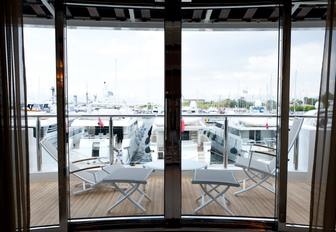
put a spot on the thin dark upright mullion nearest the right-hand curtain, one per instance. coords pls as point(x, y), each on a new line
point(284, 111)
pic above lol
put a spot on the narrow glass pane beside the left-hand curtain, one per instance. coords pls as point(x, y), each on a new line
point(39, 43)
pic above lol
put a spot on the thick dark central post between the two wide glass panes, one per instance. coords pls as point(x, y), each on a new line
point(172, 135)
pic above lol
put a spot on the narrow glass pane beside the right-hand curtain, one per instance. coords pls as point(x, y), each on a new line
point(306, 65)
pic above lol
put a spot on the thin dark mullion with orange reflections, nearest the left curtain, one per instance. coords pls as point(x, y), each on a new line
point(61, 90)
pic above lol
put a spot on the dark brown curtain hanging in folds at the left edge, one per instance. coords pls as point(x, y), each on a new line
point(14, 182)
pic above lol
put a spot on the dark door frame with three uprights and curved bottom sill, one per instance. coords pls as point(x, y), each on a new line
point(172, 175)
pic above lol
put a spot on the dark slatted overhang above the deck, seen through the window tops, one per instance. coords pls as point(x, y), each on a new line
point(193, 12)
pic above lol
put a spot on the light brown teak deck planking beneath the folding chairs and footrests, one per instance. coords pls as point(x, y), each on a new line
point(255, 203)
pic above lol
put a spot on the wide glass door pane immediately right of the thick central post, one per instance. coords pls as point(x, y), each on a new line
point(229, 108)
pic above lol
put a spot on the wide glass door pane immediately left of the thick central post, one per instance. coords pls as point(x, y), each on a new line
point(115, 104)
